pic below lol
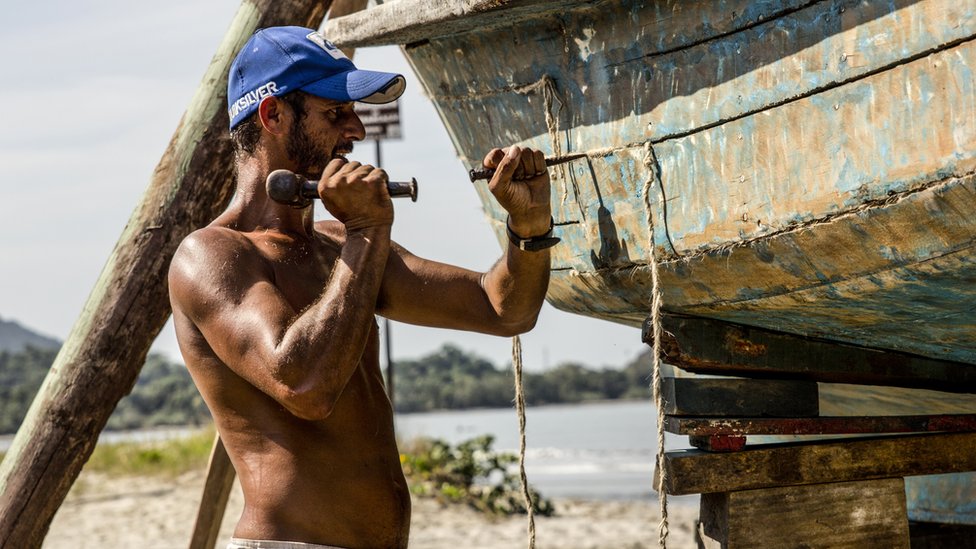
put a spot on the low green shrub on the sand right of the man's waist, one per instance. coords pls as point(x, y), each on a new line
point(470, 473)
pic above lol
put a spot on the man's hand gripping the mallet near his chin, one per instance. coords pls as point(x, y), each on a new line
point(356, 194)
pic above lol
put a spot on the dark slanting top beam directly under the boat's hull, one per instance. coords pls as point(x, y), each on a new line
point(708, 346)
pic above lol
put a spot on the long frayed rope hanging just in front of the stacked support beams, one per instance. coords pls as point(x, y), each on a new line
point(650, 162)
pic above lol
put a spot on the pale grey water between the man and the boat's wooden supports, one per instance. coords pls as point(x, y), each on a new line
point(603, 450)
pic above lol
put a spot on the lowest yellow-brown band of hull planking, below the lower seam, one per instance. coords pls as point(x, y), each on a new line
point(918, 301)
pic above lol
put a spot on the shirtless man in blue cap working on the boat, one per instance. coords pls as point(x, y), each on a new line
point(275, 312)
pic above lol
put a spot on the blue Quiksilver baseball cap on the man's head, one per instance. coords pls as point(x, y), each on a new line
point(279, 60)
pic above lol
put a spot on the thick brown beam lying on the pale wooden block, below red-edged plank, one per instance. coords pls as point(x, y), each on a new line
point(766, 466)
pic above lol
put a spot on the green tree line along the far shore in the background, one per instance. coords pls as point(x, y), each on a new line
point(448, 379)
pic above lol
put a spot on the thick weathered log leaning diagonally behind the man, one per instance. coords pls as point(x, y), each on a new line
point(101, 359)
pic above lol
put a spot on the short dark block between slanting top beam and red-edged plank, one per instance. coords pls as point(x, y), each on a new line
point(740, 397)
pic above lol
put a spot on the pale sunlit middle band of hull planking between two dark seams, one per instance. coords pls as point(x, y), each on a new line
point(784, 168)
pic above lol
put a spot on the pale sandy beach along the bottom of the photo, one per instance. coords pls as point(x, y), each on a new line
point(158, 513)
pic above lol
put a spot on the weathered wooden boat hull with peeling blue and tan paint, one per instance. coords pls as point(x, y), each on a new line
point(802, 166)
